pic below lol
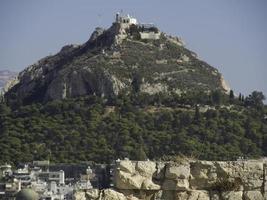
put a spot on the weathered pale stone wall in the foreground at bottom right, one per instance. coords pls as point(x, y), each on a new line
point(189, 180)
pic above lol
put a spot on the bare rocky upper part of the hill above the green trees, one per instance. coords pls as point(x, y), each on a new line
point(123, 58)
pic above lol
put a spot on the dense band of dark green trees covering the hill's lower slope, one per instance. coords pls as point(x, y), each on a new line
point(137, 126)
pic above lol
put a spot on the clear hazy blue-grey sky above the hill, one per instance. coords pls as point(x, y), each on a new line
point(231, 35)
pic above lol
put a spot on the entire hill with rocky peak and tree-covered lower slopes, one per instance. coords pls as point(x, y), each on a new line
point(129, 91)
